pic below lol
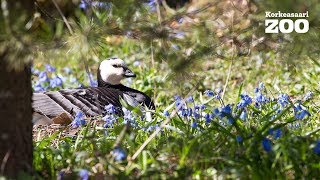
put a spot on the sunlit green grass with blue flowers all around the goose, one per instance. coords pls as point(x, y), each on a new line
point(246, 130)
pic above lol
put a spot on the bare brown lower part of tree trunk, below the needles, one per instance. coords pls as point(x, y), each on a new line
point(15, 119)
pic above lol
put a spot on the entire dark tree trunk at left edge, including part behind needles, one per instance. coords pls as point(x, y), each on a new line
point(16, 151)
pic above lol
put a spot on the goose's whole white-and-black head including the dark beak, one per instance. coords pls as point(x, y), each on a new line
point(112, 71)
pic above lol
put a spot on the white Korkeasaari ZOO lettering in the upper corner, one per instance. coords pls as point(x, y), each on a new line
point(286, 25)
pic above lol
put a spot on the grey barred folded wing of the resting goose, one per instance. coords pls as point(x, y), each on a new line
point(90, 101)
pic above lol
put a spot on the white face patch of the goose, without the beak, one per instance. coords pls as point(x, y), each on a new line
point(112, 70)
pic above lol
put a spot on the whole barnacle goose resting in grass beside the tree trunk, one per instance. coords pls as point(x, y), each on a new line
point(92, 100)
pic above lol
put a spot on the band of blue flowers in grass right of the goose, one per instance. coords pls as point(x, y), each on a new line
point(226, 115)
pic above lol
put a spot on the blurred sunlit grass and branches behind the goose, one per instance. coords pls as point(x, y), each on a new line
point(174, 46)
